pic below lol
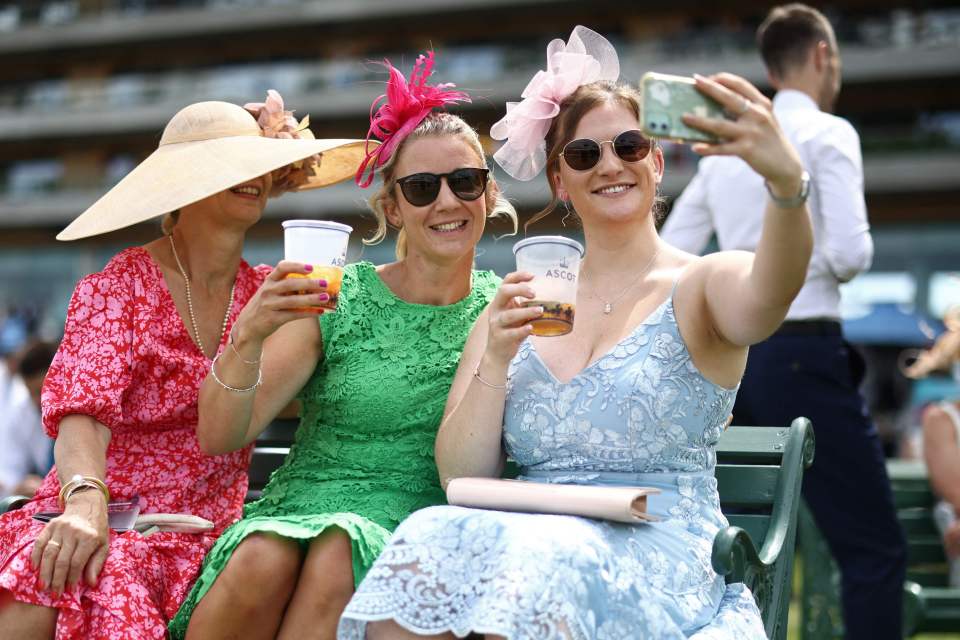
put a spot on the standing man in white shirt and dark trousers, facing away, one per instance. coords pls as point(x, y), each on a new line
point(806, 368)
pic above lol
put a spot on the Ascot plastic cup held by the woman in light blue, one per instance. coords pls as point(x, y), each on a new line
point(554, 262)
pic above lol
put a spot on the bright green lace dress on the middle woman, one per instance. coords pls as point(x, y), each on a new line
point(362, 459)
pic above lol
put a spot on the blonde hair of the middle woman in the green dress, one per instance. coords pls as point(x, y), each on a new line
point(436, 124)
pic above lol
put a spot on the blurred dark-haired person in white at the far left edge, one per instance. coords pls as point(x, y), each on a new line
point(26, 452)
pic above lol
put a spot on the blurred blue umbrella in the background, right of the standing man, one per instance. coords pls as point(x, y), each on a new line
point(893, 325)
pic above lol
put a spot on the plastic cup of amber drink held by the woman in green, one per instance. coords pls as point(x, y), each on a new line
point(321, 244)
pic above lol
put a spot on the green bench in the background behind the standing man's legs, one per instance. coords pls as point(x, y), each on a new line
point(930, 606)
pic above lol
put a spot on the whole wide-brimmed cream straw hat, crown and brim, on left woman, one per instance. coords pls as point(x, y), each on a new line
point(206, 148)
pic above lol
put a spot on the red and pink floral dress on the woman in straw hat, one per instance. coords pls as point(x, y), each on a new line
point(127, 360)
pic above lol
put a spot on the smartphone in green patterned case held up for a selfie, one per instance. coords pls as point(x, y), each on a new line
point(665, 99)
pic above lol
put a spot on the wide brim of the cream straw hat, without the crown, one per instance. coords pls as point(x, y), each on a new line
point(176, 175)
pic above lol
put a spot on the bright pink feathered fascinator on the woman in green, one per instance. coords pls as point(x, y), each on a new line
point(396, 113)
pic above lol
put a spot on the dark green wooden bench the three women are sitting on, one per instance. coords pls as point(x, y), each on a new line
point(759, 474)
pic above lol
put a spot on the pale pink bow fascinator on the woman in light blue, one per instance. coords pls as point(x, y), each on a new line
point(586, 57)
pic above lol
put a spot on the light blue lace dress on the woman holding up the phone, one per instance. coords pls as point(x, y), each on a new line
point(640, 415)
